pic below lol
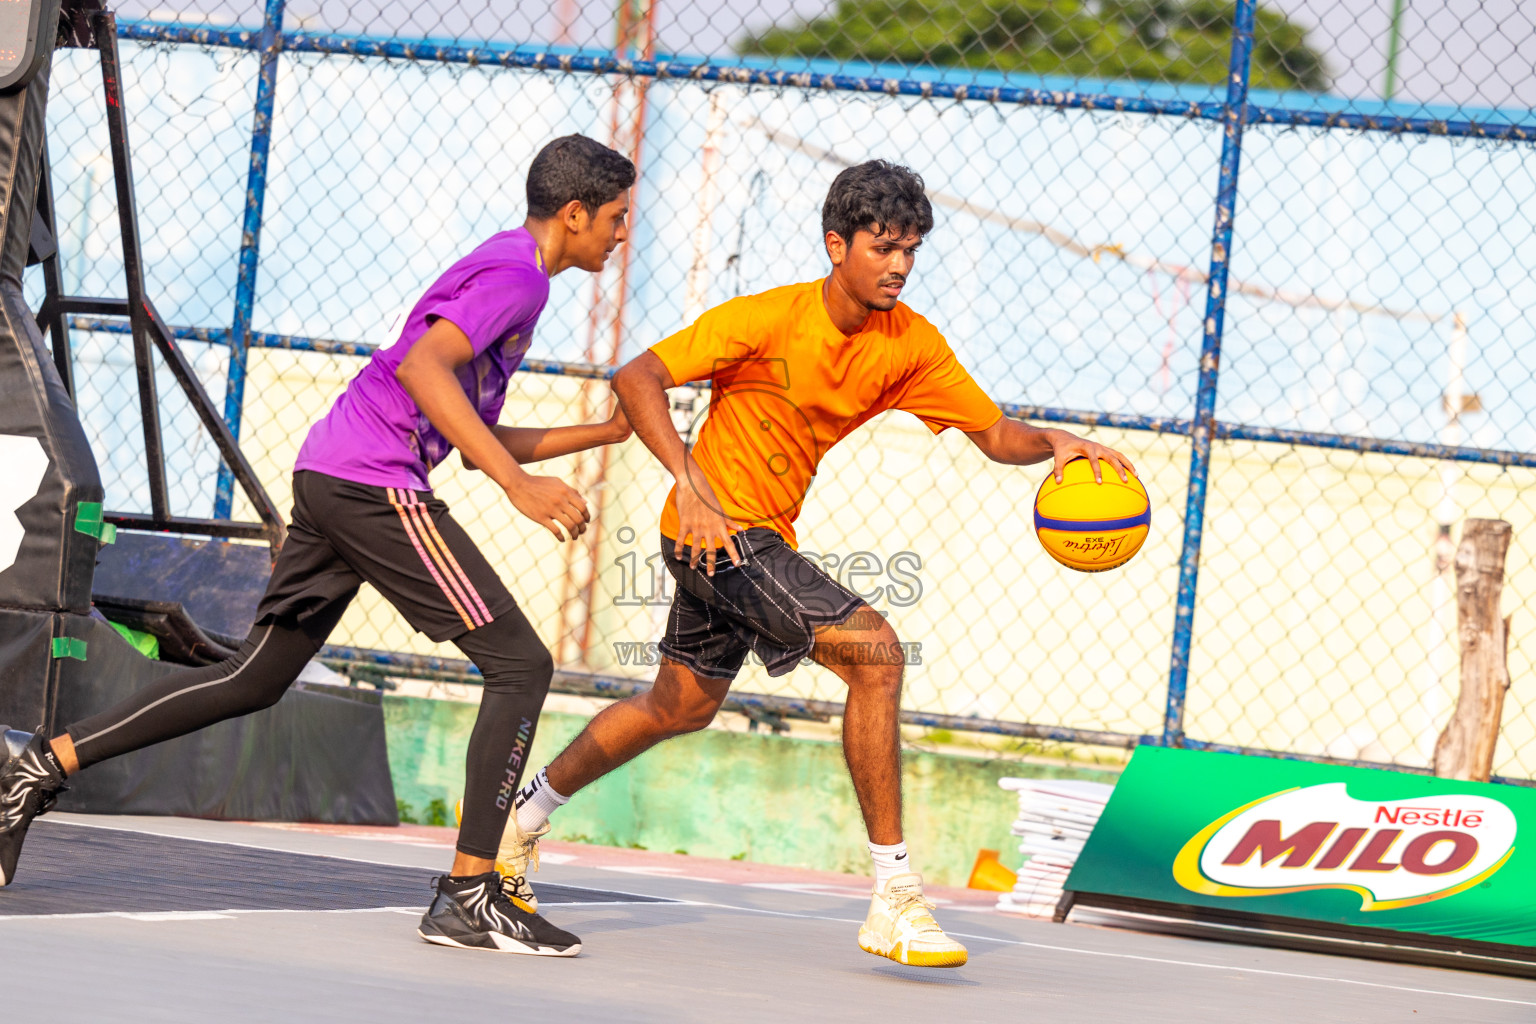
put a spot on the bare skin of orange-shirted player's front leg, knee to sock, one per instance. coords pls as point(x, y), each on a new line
point(872, 735)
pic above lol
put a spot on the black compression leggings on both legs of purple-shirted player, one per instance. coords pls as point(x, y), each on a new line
point(514, 661)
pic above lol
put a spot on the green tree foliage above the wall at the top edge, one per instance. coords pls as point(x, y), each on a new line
point(1156, 41)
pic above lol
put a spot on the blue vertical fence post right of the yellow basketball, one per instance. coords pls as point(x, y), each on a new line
point(1203, 424)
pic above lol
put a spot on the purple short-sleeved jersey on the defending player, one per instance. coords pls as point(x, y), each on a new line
point(376, 434)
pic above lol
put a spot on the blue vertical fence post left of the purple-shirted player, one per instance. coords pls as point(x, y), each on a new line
point(270, 47)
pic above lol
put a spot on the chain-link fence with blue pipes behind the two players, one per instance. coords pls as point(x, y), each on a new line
point(1283, 257)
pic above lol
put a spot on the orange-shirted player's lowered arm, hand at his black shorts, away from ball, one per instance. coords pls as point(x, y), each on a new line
point(641, 386)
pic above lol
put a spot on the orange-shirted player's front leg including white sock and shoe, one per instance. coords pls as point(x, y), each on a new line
point(866, 653)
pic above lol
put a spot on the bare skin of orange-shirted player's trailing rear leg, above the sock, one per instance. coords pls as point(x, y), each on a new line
point(680, 702)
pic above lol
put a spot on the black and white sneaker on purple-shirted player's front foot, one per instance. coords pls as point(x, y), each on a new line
point(475, 914)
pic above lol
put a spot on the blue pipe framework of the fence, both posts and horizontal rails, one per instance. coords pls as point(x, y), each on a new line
point(1234, 114)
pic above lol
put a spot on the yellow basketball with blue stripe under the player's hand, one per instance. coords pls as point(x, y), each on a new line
point(1093, 527)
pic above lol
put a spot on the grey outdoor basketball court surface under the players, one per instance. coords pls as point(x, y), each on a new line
point(116, 919)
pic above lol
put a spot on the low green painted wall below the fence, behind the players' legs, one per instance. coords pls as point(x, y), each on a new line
point(767, 799)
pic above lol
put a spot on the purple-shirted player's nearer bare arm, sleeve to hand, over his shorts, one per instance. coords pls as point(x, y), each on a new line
point(428, 374)
